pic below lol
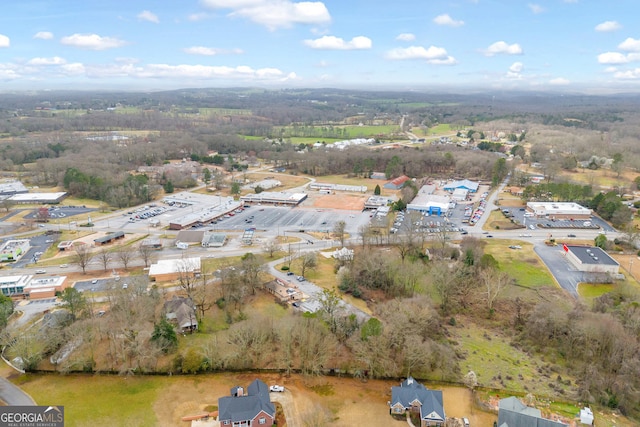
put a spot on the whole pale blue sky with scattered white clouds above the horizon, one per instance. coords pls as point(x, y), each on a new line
point(561, 45)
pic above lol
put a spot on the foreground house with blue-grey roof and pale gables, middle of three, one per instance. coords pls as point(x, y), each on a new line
point(415, 397)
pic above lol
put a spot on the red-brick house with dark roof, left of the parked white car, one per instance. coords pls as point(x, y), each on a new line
point(250, 409)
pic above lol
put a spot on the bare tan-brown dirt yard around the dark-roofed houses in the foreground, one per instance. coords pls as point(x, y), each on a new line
point(336, 401)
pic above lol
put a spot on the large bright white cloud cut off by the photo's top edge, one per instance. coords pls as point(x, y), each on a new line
point(275, 13)
